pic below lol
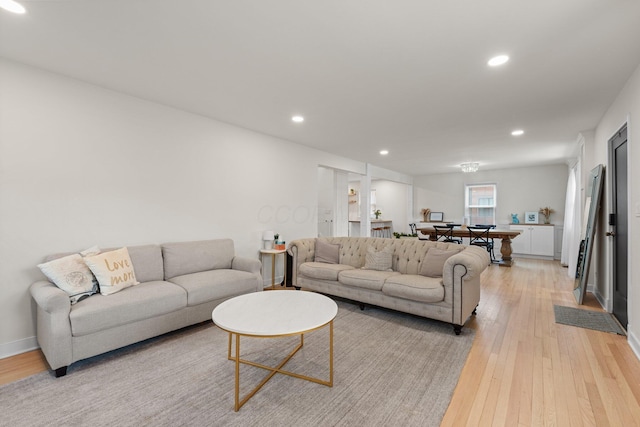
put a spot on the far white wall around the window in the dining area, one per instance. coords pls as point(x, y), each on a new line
point(518, 191)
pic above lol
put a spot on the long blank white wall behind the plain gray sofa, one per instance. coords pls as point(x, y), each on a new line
point(83, 166)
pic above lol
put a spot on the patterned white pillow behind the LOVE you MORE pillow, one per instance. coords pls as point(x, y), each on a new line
point(72, 275)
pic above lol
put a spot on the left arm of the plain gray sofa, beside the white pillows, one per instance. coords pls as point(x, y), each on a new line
point(53, 324)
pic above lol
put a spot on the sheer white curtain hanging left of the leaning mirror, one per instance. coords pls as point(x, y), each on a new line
point(572, 221)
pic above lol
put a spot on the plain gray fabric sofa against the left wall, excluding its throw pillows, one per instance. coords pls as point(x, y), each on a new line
point(180, 284)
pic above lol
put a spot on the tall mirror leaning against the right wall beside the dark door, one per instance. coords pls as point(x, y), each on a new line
point(592, 209)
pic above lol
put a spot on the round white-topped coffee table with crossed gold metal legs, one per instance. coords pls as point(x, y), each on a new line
point(272, 314)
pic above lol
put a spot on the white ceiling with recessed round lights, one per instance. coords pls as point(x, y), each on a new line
point(409, 76)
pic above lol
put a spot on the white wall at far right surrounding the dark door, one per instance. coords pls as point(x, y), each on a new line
point(625, 109)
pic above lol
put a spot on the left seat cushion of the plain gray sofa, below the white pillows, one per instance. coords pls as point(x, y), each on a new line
point(140, 302)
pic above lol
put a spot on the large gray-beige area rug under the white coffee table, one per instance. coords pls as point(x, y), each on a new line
point(389, 369)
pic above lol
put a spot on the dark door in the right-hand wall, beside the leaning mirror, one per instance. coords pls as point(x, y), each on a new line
point(620, 227)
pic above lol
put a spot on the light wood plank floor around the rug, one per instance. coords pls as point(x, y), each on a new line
point(523, 369)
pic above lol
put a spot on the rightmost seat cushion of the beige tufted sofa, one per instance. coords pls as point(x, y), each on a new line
point(414, 287)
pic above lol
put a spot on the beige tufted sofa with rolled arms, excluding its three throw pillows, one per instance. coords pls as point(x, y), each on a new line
point(451, 298)
